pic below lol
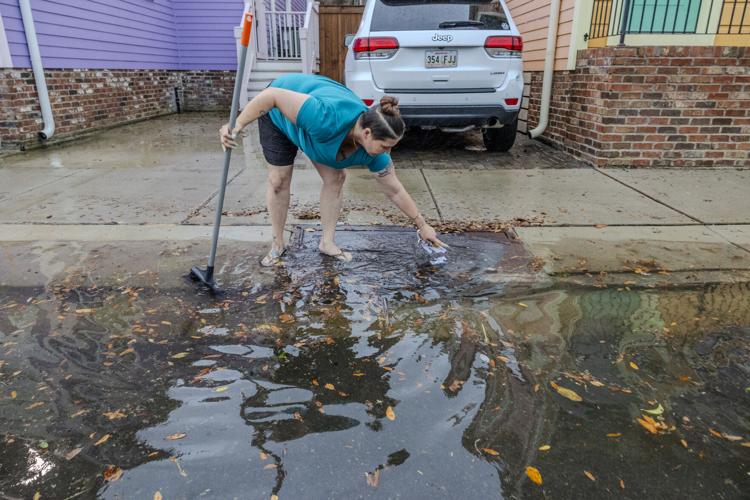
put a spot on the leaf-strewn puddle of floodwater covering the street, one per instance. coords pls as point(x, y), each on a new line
point(375, 379)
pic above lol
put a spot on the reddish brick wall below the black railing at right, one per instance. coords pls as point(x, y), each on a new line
point(651, 106)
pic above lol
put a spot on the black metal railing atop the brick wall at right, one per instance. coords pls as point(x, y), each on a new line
point(612, 18)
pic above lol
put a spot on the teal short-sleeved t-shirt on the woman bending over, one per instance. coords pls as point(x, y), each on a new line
point(324, 120)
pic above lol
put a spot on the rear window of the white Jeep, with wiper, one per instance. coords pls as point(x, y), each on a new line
point(416, 15)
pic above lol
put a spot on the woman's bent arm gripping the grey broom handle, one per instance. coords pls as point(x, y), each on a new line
point(288, 102)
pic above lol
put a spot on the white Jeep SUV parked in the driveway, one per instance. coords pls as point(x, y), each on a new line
point(453, 64)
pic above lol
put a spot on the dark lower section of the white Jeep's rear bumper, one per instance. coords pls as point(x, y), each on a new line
point(457, 116)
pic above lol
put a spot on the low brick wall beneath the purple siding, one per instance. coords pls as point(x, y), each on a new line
point(87, 100)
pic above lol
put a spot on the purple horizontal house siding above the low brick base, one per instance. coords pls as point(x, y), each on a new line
point(127, 34)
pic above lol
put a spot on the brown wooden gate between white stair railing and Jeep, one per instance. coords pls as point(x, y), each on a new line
point(335, 23)
